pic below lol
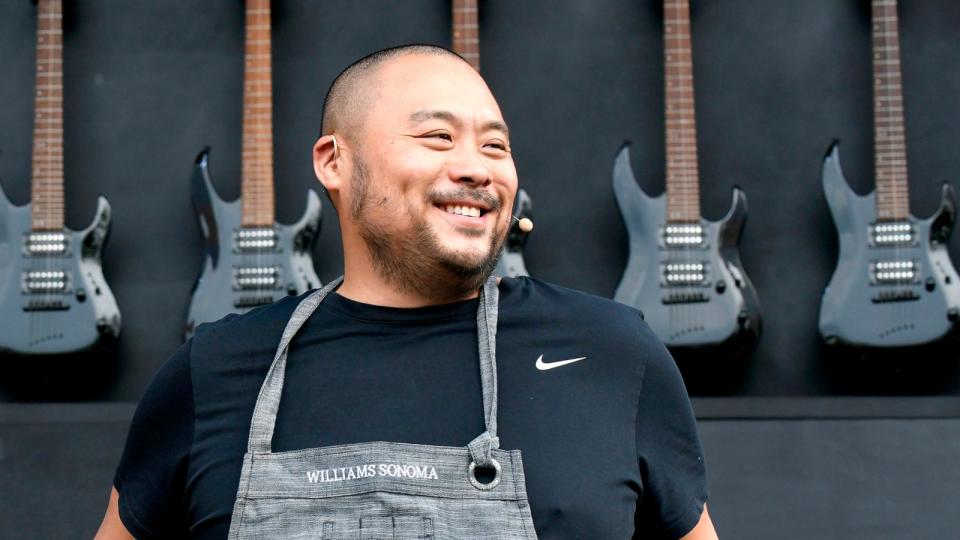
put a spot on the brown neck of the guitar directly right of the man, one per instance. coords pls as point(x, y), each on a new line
point(683, 184)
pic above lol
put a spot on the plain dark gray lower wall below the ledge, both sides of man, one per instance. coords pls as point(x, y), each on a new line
point(800, 479)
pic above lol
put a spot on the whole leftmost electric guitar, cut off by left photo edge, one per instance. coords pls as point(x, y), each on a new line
point(53, 296)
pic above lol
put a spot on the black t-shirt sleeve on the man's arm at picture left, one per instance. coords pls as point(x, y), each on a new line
point(152, 473)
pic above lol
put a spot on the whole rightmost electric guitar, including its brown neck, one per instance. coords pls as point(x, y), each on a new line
point(894, 284)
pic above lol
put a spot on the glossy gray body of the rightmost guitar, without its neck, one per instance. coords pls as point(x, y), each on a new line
point(863, 308)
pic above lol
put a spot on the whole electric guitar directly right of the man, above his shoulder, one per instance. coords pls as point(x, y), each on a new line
point(683, 271)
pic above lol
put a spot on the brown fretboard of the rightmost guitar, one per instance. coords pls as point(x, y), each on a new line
point(890, 149)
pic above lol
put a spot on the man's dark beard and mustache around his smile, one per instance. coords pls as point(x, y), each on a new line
point(415, 260)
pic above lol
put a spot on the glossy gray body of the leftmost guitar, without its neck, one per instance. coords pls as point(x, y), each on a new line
point(54, 301)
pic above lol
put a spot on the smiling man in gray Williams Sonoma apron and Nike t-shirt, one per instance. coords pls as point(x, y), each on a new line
point(416, 159)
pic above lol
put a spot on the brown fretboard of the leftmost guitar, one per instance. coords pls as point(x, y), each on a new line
point(47, 167)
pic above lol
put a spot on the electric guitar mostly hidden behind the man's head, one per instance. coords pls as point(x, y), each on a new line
point(466, 43)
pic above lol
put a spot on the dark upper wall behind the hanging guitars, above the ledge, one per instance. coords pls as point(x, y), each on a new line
point(149, 83)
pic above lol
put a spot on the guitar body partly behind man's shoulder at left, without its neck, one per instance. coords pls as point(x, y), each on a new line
point(246, 268)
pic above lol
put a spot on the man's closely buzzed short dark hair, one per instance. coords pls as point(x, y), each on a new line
point(351, 93)
